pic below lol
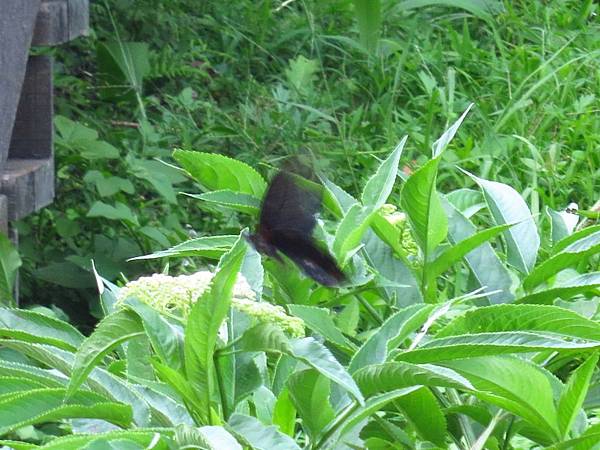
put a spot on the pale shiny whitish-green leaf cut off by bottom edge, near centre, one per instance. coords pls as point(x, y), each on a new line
point(258, 436)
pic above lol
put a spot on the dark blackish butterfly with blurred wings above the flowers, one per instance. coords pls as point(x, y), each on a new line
point(287, 221)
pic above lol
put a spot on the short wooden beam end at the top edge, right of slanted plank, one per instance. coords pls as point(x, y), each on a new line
point(60, 21)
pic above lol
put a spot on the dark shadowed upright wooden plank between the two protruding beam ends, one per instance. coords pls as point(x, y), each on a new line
point(32, 131)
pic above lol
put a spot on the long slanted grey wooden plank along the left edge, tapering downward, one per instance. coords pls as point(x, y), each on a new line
point(17, 20)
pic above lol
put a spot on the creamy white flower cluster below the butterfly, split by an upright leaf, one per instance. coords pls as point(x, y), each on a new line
point(175, 295)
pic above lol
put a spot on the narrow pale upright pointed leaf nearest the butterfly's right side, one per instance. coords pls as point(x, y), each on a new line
point(379, 187)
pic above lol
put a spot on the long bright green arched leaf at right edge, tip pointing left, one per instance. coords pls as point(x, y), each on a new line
point(500, 318)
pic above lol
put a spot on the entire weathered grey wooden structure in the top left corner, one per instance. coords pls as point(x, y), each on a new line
point(26, 103)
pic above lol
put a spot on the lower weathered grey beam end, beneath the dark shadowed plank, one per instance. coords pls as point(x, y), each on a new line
point(28, 184)
